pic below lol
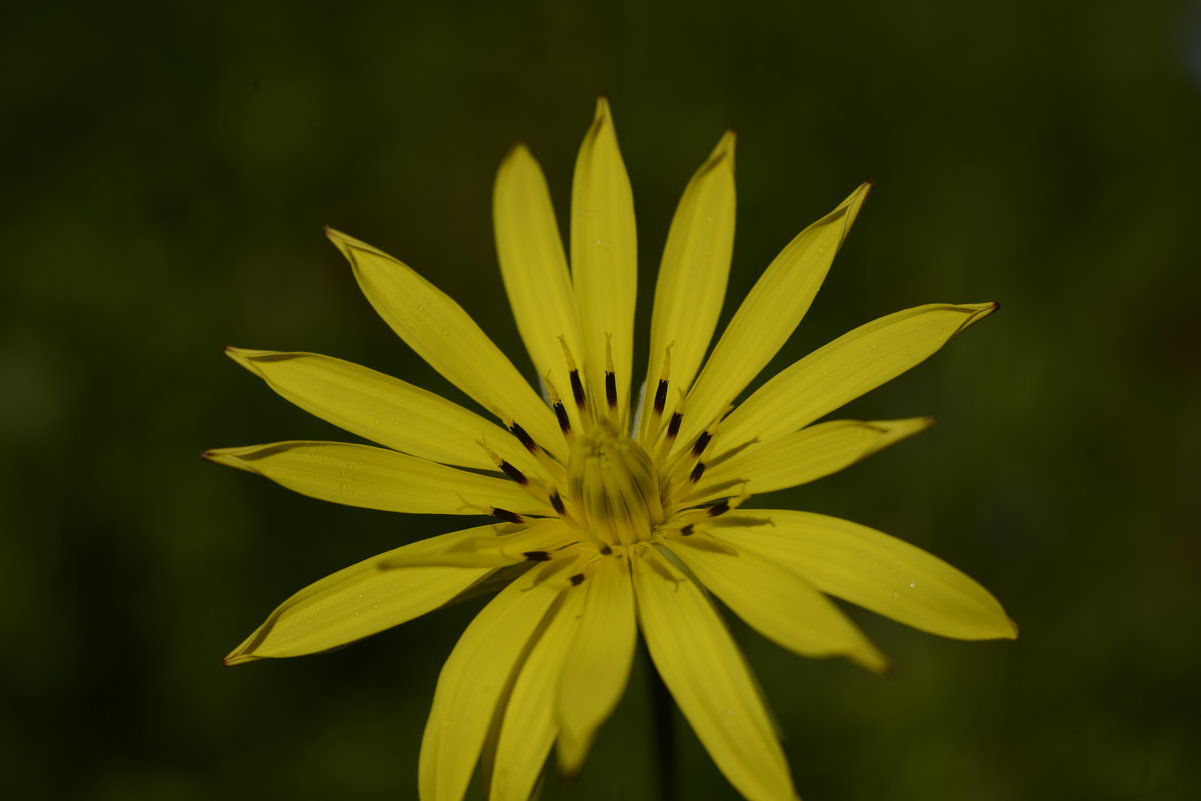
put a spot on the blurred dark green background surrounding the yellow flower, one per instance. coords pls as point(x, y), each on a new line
point(168, 170)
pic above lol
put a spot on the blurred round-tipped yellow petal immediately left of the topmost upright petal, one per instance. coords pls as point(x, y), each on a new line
point(535, 267)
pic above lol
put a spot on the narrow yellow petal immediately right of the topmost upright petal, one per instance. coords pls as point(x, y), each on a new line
point(695, 270)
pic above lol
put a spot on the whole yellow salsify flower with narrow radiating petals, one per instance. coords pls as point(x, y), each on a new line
point(612, 515)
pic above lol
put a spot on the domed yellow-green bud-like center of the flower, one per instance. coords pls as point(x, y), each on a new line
point(616, 486)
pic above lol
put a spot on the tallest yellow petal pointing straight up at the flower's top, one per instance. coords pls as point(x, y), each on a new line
point(605, 255)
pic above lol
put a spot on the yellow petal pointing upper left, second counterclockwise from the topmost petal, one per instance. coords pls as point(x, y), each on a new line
point(449, 339)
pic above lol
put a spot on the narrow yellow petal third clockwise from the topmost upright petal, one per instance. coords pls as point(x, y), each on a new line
point(844, 370)
